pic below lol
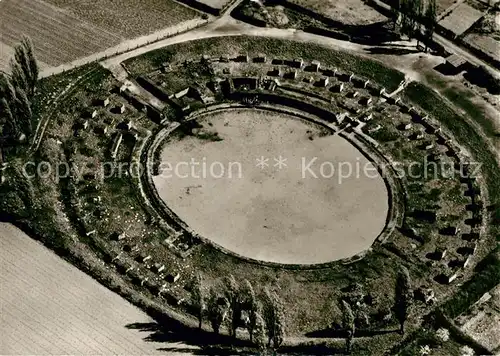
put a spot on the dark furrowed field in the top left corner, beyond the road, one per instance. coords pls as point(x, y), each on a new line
point(63, 31)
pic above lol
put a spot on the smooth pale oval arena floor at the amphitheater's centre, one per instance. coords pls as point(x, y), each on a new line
point(280, 215)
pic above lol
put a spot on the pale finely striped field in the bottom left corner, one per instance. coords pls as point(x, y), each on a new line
point(48, 307)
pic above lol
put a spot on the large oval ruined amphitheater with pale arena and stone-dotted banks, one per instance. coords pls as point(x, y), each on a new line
point(260, 215)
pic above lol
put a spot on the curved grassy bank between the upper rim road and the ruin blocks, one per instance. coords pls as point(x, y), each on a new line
point(273, 48)
